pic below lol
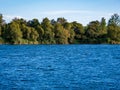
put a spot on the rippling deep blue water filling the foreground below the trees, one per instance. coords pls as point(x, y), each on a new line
point(59, 67)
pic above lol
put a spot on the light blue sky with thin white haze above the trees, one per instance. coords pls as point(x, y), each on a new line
point(82, 11)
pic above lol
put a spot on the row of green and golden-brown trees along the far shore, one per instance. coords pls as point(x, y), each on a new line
point(20, 31)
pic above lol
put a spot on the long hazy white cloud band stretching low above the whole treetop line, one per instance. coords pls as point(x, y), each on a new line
point(81, 16)
